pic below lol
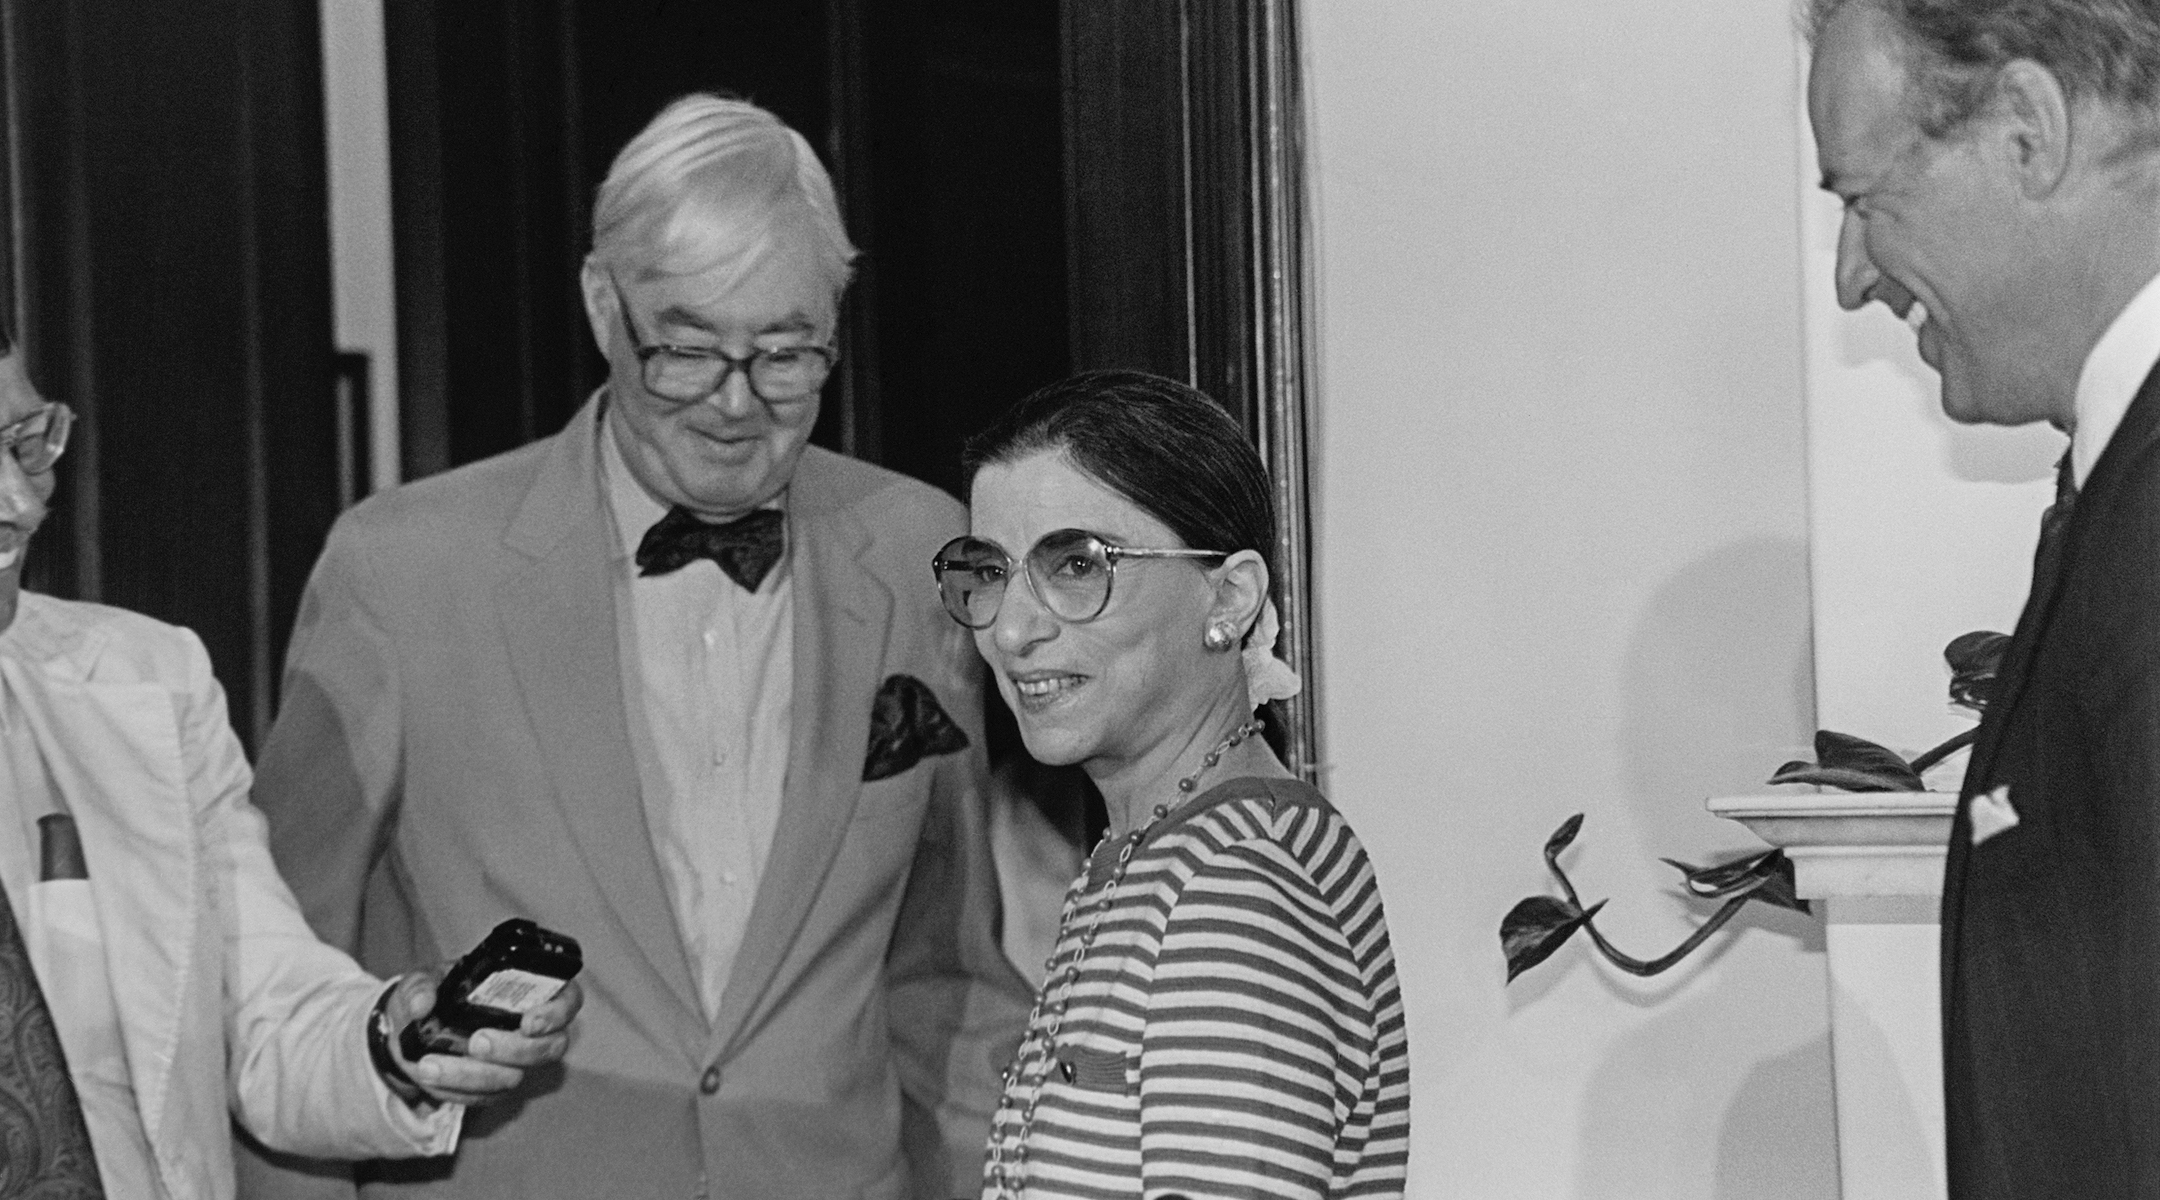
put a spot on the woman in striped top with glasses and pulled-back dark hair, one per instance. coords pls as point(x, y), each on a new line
point(1221, 1015)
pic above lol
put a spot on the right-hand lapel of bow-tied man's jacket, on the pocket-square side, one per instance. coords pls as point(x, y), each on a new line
point(841, 621)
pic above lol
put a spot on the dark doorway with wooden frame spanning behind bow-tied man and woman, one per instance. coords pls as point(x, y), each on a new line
point(1038, 187)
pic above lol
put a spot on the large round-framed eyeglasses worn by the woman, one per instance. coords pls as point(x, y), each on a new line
point(1070, 571)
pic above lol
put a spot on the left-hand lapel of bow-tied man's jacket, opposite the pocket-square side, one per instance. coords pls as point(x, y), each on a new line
point(558, 621)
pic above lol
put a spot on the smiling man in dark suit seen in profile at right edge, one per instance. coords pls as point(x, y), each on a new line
point(2001, 174)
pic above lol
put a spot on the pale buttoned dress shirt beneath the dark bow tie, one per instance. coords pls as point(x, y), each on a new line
point(710, 692)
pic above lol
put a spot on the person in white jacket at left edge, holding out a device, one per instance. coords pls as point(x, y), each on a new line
point(154, 968)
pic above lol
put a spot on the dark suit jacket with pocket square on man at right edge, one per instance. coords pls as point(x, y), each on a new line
point(2051, 929)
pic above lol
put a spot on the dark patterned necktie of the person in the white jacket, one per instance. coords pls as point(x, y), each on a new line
point(44, 1145)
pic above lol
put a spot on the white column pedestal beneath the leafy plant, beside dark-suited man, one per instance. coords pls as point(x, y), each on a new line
point(1872, 864)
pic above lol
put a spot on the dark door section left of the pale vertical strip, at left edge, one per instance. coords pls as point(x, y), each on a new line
point(170, 271)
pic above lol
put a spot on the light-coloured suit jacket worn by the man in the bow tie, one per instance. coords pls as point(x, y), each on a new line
point(453, 750)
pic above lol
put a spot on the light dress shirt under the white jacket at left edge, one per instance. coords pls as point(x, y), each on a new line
point(68, 953)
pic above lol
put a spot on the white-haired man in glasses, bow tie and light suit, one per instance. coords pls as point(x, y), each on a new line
point(673, 683)
